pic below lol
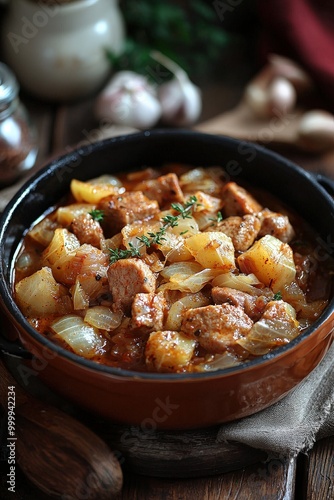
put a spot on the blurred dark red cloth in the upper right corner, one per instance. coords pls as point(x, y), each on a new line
point(303, 30)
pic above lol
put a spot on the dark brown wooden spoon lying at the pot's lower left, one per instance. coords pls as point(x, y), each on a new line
point(57, 453)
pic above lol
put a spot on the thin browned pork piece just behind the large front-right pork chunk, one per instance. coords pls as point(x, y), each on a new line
point(253, 306)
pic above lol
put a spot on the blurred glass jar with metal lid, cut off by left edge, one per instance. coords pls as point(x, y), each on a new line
point(18, 138)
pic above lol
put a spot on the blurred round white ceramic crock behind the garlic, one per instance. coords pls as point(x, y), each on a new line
point(58, 50)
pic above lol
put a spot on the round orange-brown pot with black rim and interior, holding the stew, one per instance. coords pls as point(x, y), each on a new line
point(170, 401)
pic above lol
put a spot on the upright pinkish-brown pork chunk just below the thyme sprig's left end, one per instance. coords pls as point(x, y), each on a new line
point(126, 278)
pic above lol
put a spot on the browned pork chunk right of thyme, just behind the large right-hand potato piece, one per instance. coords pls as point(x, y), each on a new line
point(242, 230)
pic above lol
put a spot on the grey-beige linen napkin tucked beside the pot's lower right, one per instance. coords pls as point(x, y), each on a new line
point(295, 423)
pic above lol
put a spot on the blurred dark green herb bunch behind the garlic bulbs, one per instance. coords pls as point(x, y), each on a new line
point(189, 33)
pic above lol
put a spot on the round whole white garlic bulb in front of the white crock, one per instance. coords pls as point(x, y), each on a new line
point(129, 100)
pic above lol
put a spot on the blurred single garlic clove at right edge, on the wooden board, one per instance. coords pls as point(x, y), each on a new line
point(316, 130)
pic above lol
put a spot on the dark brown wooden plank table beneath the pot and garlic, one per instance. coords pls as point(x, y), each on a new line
point(307, 477)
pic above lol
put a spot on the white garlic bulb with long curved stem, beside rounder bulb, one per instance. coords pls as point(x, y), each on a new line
point(180, 99)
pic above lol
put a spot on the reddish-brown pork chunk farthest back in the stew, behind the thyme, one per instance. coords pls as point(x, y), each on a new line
point(165, 189)
